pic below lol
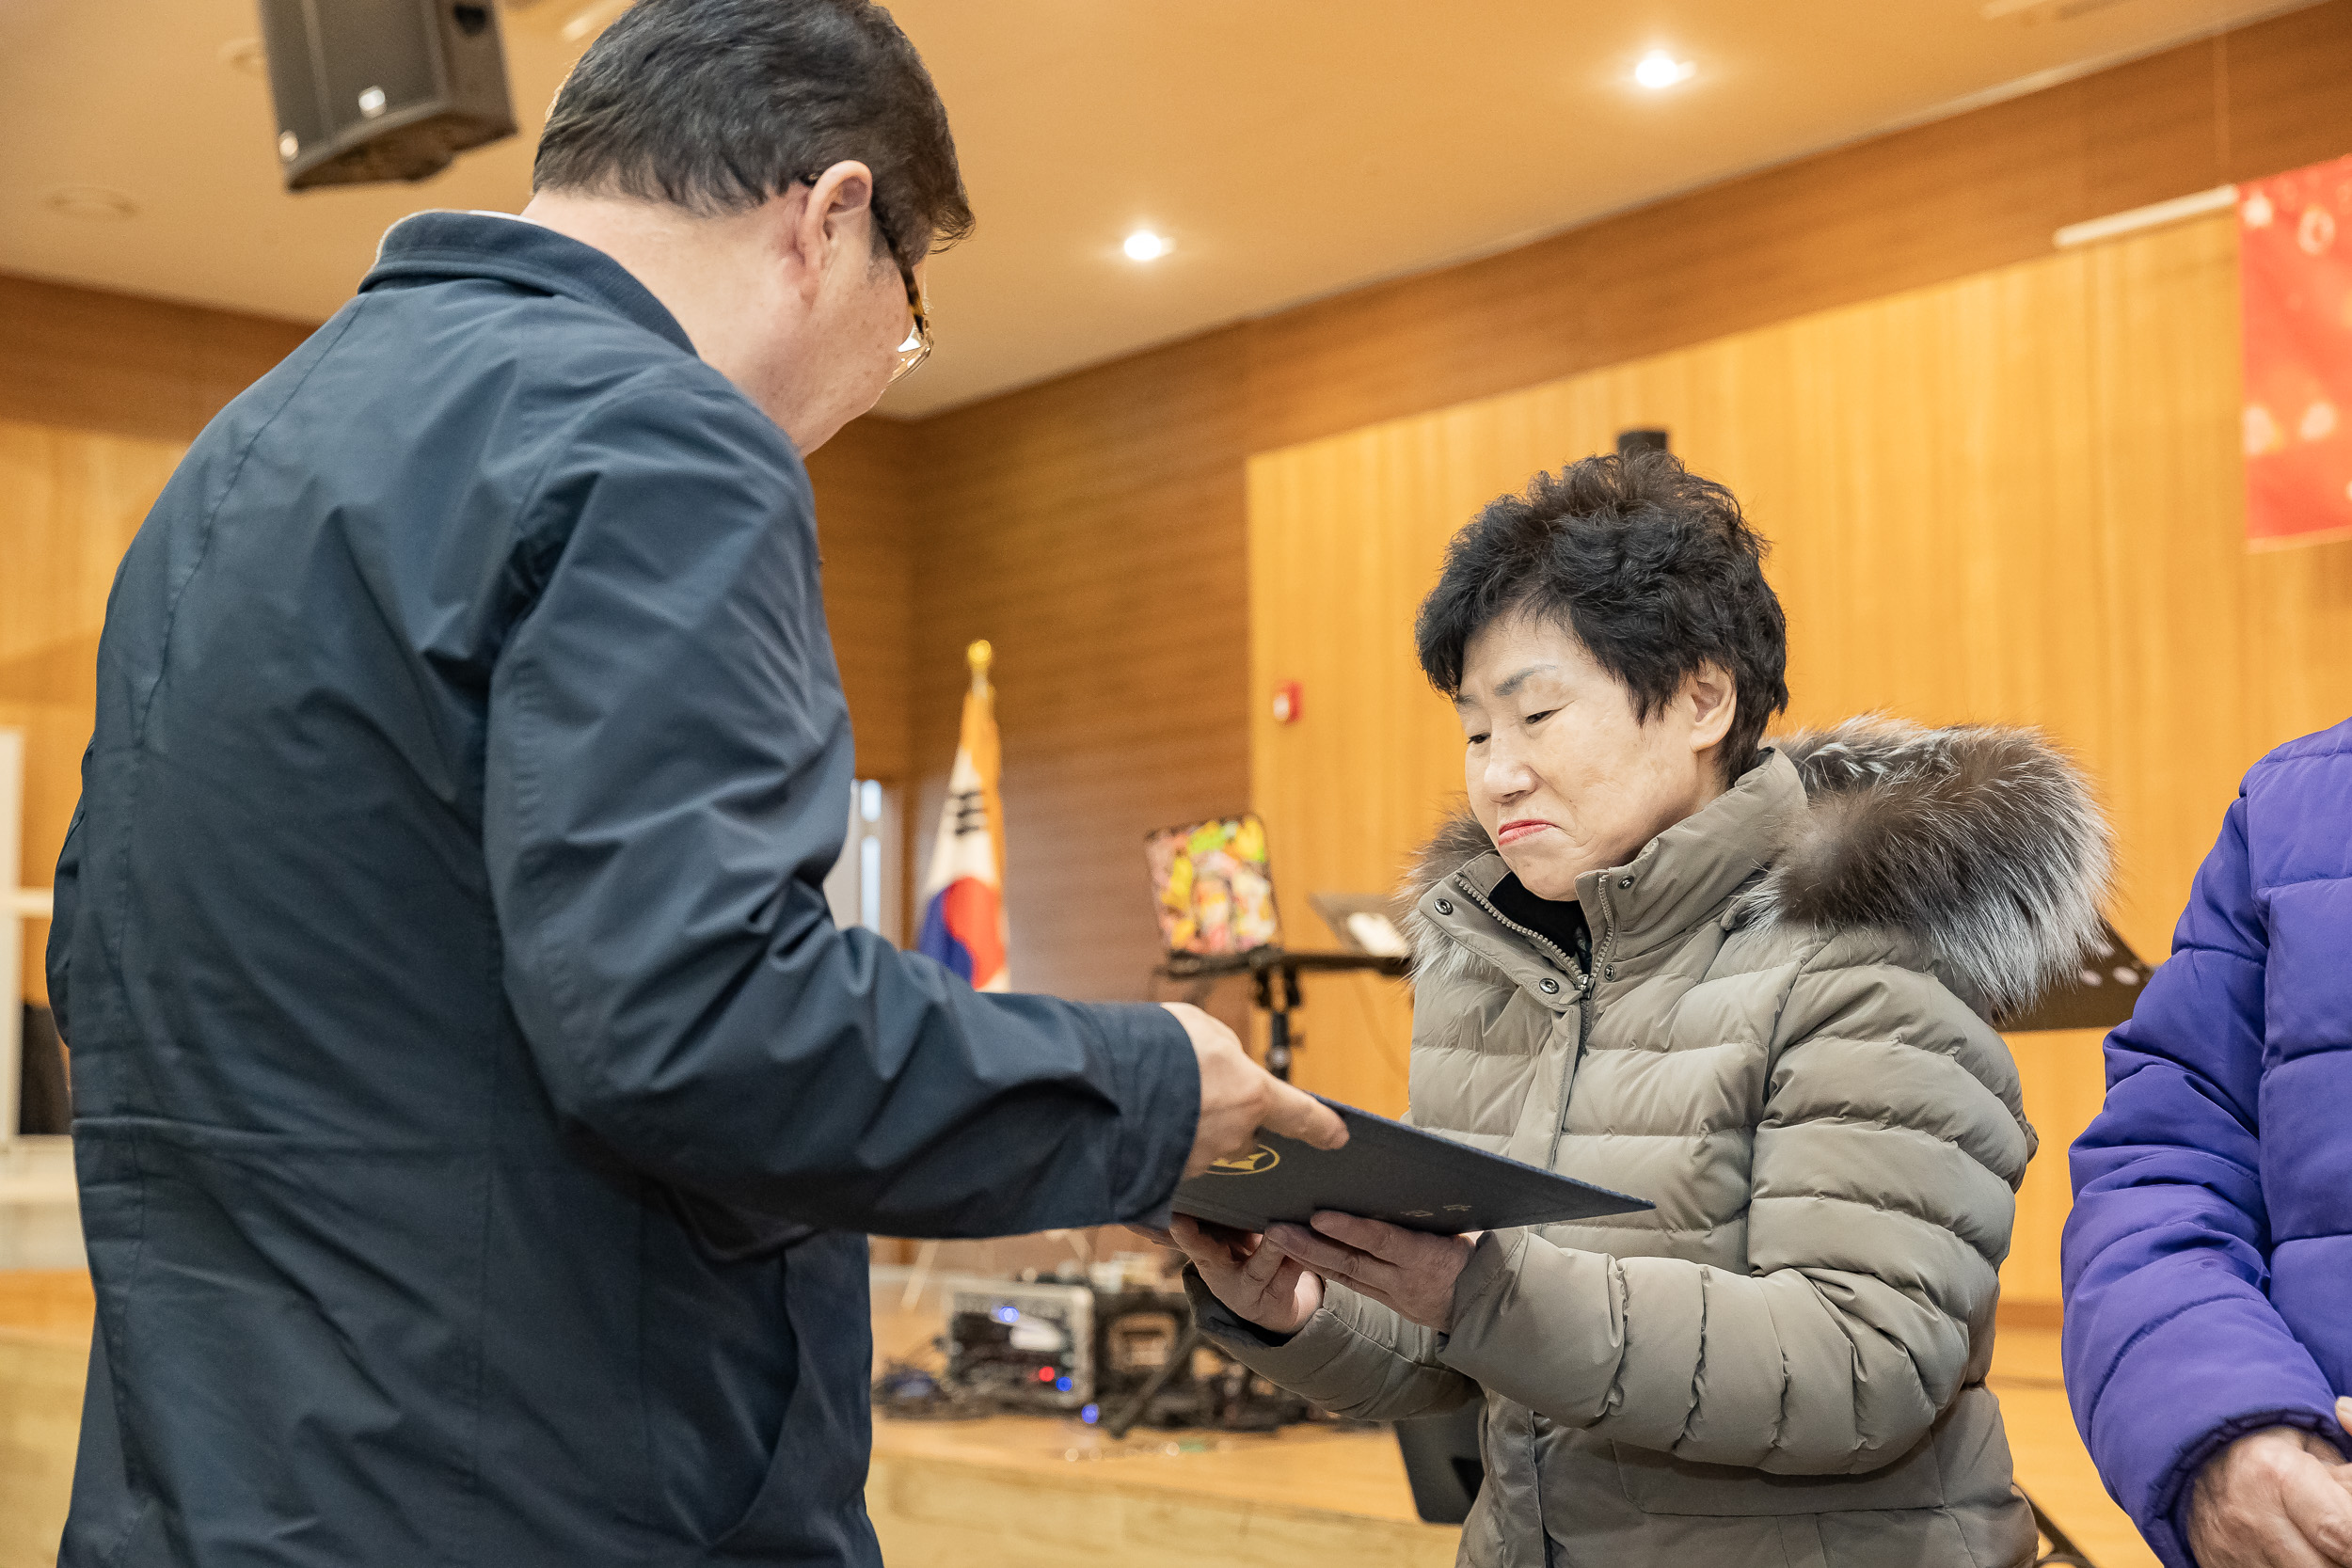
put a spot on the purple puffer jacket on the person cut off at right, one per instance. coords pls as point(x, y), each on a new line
point(2210, 1254)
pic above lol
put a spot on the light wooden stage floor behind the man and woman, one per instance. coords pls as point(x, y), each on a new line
point(1050, 1494)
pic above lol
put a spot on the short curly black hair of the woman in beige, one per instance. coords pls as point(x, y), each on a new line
point(1648, 565)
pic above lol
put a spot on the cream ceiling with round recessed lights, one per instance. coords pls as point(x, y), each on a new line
point(1290, 149)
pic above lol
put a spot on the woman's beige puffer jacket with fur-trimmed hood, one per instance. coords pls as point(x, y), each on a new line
point(1786, 1047)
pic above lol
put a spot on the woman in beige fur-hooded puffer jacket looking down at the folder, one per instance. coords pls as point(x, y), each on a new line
point(1749, 984)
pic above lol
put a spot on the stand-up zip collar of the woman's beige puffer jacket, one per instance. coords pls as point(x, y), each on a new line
point(1678, 880)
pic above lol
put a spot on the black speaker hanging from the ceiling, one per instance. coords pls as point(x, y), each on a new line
point(373, 91)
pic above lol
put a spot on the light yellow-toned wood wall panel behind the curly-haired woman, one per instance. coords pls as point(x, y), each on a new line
point(2007, 500)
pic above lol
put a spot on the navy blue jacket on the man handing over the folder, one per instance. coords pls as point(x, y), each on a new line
point(462, 1050)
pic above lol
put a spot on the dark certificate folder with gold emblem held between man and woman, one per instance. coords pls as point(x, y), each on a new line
point(1391, 1172)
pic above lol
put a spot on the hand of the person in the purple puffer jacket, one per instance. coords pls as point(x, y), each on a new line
point(2276, 1499)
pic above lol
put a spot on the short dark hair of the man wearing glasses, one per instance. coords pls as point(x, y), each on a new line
point(721, 105)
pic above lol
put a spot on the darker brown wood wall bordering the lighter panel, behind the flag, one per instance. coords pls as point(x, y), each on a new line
point(1125, 481)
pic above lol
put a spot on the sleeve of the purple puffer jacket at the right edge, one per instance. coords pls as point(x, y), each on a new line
point(2172, 1346)
